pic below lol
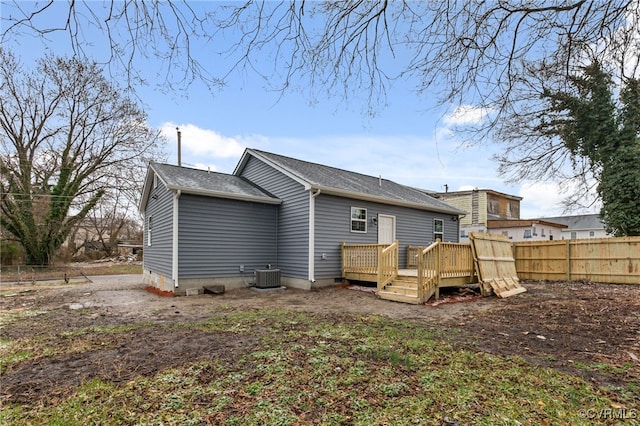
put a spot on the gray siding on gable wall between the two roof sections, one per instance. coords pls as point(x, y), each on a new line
point(293, 221)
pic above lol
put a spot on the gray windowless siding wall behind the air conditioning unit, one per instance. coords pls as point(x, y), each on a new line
point(218, 235)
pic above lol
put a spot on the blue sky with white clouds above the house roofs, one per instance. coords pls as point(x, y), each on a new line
point(407, 140)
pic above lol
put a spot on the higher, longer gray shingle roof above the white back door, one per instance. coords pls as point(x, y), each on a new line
point(352, 184)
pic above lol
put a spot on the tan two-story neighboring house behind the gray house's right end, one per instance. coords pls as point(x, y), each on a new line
point(481, 205)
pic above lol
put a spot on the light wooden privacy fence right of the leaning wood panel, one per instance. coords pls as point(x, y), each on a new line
point(609, 260)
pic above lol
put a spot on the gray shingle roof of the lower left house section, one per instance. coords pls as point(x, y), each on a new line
point(209, 183)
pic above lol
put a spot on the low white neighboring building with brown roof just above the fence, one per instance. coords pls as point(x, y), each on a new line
point(526, 229)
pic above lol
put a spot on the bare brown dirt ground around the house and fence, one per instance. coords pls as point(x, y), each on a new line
point(563, 325)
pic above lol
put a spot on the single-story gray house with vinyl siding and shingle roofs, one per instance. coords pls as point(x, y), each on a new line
point(275, 212)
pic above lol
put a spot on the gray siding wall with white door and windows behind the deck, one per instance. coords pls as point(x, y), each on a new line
point(333, 226)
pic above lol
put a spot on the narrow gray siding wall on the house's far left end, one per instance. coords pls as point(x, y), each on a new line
point(157, 257)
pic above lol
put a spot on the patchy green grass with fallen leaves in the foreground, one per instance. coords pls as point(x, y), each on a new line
point(311, 369)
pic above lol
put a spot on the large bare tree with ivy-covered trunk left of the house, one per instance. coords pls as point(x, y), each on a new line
point(67, 136)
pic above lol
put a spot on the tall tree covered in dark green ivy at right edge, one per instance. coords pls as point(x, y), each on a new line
point(590, 133)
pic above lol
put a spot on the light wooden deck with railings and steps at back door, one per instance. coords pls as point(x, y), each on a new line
point(428, 269)
